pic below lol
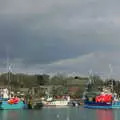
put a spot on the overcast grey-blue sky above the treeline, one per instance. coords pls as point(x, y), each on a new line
point(49, 36)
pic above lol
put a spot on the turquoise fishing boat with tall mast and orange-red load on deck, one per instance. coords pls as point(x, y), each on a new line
point(9, 101)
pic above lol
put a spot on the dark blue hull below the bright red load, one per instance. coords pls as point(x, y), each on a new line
point(94, 105)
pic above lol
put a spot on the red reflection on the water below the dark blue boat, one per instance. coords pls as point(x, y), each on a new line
point(105, 115)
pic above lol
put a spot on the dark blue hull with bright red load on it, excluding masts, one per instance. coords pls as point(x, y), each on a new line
point(106, 101)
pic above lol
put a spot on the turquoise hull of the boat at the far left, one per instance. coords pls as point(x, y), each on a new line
point(6, 106)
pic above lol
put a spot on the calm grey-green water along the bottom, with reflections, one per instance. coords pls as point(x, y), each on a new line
point(68, 113)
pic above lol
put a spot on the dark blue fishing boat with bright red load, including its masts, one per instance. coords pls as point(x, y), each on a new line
point(104, 99)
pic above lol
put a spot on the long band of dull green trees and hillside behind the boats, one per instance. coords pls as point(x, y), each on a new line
point(61, 84)
